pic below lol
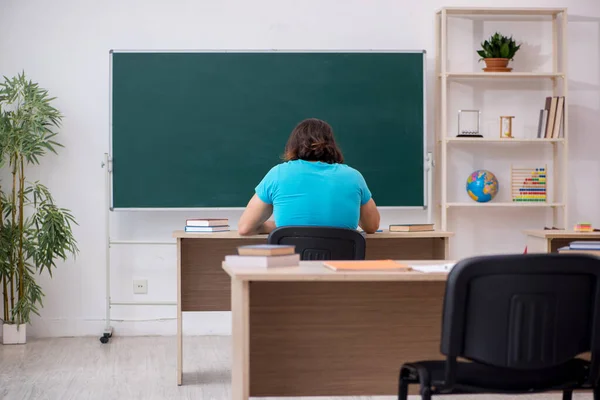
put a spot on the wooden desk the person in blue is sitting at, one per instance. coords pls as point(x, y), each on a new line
point(202, 285)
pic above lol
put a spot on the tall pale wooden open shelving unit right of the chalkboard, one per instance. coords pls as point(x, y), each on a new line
point(446, 140)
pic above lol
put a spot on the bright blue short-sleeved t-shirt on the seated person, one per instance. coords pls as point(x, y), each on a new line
point(314, 194)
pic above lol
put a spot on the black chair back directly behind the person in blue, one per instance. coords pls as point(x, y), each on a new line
point(321, 243)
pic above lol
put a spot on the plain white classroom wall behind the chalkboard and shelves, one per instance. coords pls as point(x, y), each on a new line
point(64, 45)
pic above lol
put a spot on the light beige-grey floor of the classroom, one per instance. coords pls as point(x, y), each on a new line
point(131, 368)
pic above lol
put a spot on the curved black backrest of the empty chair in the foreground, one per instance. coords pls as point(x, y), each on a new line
point(527, 312)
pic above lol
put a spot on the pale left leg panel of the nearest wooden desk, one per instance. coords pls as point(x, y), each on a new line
point(240, 374)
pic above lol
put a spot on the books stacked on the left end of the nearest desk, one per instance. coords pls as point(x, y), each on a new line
point(264, 256)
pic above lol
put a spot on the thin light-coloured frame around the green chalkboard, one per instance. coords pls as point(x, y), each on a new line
point(427, 167)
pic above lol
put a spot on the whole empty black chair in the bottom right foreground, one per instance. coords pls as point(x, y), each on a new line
point(520, 322)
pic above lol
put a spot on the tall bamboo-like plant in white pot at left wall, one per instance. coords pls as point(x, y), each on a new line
point(34, 231)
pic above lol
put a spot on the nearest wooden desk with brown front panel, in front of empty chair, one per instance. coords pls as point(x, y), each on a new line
point(309, 331)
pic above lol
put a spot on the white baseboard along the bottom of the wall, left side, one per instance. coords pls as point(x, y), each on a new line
point(194, 324)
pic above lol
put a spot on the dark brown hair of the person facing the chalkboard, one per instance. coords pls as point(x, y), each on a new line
point(312, 140)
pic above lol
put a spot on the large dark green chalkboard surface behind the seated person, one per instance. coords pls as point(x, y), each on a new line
point(201, 129)
